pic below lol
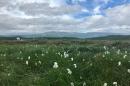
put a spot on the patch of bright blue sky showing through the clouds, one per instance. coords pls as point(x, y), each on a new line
point(90, 5)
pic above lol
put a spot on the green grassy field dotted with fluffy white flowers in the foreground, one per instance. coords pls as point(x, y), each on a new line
point(76, 64)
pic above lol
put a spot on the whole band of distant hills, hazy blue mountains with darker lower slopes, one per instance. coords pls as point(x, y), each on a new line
point(71, 35)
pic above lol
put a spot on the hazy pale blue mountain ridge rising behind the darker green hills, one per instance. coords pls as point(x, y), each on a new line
point(71, 34)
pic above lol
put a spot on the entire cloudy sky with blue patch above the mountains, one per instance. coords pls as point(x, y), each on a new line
point(82, 16)
